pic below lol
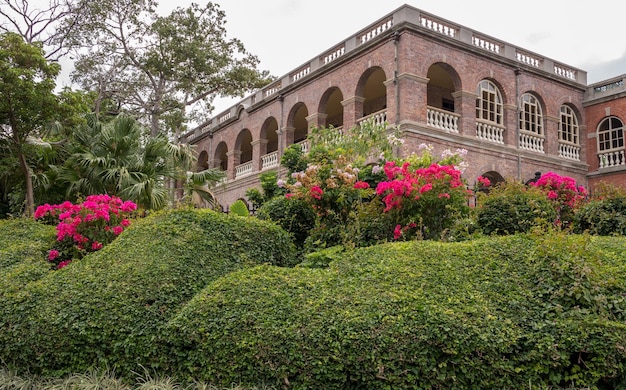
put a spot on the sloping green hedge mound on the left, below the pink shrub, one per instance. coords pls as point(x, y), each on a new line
point(109, 309)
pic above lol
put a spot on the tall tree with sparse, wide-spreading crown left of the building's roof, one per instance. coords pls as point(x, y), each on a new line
point(161, 66)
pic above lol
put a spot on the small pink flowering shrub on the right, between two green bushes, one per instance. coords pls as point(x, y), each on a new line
point(565, 195)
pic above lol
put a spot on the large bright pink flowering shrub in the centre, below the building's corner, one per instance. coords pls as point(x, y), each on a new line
point(427, 201)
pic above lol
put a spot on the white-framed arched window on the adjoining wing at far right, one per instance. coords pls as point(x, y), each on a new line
point(611, 143)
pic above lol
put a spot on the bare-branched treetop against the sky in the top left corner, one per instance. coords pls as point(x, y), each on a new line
point(46, 23)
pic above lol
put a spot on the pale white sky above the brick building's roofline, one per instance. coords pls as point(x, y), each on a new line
point(284, 34)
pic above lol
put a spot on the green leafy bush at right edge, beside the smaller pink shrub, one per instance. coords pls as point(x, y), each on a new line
point(604, 214)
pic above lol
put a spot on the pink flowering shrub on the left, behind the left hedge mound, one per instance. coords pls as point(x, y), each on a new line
point(85, 227)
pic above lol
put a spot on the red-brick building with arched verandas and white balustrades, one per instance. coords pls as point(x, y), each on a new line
point(515, 112)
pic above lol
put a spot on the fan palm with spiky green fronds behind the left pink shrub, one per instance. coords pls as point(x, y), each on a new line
point(112, 158)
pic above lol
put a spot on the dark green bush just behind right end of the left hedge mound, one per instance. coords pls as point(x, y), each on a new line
point(295, 216)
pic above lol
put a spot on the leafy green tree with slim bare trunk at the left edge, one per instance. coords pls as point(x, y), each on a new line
point(28, 103)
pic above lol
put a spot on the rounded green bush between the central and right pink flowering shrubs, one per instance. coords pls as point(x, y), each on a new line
point(512, 207)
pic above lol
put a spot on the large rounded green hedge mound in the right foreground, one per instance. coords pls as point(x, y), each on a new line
point(499, 312)
